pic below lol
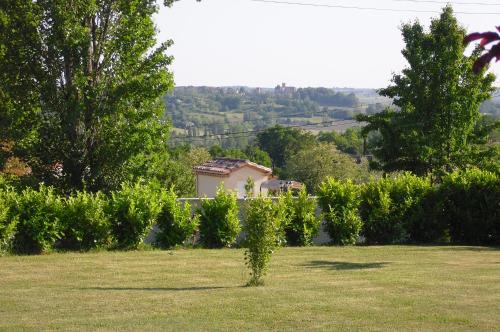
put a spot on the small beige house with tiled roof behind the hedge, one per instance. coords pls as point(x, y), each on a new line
point(234, 173)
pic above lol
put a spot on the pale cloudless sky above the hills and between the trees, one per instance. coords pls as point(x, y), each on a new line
point(262, 44)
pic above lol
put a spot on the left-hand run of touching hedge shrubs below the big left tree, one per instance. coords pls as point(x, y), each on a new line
point(36, 221)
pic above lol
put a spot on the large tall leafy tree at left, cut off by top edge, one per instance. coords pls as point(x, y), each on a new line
point(80, 88)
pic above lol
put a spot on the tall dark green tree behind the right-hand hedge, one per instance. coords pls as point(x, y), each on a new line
point(438, 97)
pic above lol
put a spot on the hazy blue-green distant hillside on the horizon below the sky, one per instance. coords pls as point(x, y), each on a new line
point(201, 114)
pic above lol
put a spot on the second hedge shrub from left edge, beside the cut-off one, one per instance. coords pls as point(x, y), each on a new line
point(38, 213)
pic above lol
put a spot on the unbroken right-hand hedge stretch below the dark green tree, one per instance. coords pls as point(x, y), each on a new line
point(463, 209)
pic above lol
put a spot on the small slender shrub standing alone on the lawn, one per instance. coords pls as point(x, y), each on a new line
point(263, 226)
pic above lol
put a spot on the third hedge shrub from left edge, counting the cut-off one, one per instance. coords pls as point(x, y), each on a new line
point(85, 222)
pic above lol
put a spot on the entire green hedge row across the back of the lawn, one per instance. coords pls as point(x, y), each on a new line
point(464, 208)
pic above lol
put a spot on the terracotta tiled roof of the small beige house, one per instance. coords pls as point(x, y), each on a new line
point(225, 166)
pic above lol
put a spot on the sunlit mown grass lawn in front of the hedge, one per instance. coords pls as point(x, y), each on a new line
point(321, 288)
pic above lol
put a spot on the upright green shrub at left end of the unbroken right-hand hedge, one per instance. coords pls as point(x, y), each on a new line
point(339, 202)
